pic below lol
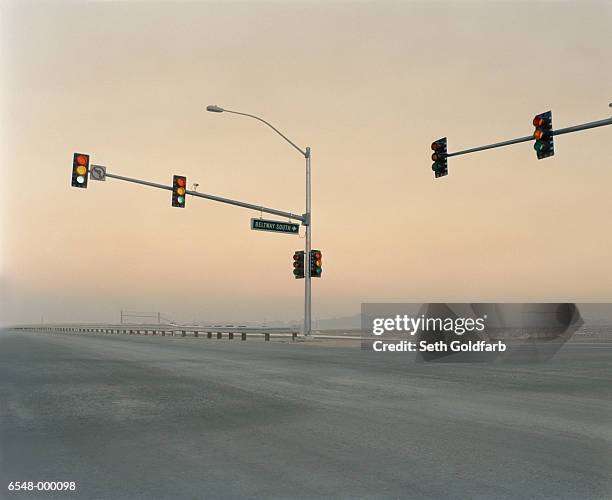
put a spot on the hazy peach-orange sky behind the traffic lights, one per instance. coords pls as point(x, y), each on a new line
point(368, 86)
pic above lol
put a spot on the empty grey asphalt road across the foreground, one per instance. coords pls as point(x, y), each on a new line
point(162, 417)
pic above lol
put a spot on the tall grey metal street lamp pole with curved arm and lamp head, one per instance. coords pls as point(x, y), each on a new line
point(307, 223)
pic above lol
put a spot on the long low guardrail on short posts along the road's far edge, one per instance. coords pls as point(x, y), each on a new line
point(216, 332)
